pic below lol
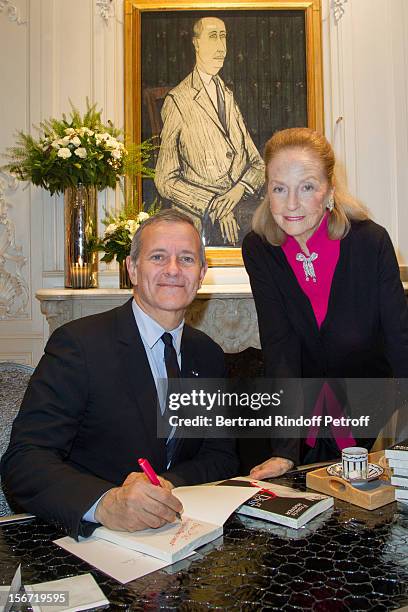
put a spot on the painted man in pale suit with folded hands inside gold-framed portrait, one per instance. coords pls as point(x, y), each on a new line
point(208, 165)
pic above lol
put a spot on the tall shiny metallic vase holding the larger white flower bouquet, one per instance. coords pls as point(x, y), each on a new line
point(81, 258)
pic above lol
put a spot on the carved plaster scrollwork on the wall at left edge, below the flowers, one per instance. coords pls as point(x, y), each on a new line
point(14, 291)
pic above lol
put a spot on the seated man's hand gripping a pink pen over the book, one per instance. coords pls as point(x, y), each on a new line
point(138, 504)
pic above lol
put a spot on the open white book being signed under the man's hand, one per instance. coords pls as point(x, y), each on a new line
point(206, 508)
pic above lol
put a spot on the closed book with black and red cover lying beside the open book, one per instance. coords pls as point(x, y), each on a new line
point(280, 504)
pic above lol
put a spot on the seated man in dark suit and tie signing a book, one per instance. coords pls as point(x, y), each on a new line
point(90, 409)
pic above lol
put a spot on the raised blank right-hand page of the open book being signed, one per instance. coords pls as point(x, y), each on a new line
point(212, 504)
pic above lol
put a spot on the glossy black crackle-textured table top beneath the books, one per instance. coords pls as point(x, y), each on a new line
point(345, 559)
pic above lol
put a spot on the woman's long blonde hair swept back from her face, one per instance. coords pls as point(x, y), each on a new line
point(346, 207)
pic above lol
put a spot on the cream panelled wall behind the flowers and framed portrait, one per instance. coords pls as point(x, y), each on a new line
point(67, 50)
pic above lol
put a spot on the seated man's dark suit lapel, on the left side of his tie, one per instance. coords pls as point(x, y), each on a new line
point(137, 379)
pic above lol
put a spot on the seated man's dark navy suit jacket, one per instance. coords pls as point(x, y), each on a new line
point(90, 412)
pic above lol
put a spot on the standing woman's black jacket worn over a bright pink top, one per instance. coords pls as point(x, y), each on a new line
point(365, 332)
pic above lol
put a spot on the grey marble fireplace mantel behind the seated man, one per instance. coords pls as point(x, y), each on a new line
point(225, 312)
